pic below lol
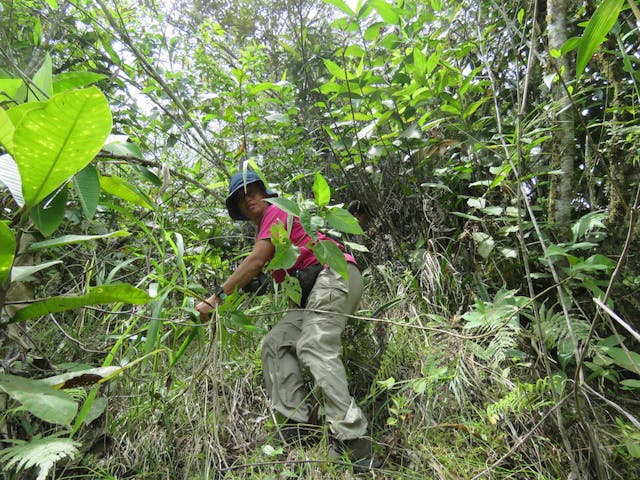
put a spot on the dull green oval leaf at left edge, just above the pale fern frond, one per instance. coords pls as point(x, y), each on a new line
point(42, 400)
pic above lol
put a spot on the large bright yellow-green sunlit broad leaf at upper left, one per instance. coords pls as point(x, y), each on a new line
point(52, 143)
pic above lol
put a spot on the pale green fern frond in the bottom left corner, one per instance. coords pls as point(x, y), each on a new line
point(39, 452)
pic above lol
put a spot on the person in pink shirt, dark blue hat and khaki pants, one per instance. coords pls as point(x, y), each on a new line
point(308, 337)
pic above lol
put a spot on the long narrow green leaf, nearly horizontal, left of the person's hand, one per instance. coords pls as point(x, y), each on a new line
point(102, 295)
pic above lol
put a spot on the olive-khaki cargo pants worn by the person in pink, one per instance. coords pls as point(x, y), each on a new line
point(307, 339)
